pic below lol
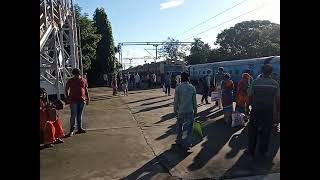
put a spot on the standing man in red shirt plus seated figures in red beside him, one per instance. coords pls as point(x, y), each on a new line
point(77, 95)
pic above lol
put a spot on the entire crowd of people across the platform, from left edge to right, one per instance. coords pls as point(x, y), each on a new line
point(257, 98)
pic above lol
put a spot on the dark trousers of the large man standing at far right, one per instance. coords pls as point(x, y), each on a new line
point(260, 126)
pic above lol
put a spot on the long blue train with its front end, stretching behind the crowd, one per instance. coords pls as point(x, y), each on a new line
point(199, 71)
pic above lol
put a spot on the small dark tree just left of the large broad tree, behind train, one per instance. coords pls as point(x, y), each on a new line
point(198, 53)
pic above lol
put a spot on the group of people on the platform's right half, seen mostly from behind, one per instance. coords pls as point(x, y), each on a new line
point(261, 94)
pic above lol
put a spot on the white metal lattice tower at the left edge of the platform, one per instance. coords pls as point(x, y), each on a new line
point(58, 44)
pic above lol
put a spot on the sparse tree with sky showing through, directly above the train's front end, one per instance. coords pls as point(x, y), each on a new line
point(171, 50)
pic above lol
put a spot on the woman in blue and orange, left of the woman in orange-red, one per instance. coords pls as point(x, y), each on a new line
point(227, 88)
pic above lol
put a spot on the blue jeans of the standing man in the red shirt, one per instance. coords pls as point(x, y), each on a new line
point(76, 113)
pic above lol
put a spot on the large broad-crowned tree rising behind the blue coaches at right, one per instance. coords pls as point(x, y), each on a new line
point(250, 39)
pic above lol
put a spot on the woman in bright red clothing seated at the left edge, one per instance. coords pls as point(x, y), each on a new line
point(50, 123)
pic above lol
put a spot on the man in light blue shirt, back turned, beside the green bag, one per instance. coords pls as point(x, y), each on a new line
point(185, 107)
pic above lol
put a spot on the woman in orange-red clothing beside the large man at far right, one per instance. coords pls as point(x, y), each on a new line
point(242, 93)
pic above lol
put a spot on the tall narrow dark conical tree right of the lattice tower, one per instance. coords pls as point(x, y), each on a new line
point(104, 63)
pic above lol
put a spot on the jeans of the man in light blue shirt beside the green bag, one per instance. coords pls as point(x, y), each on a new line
point(185, 123)
